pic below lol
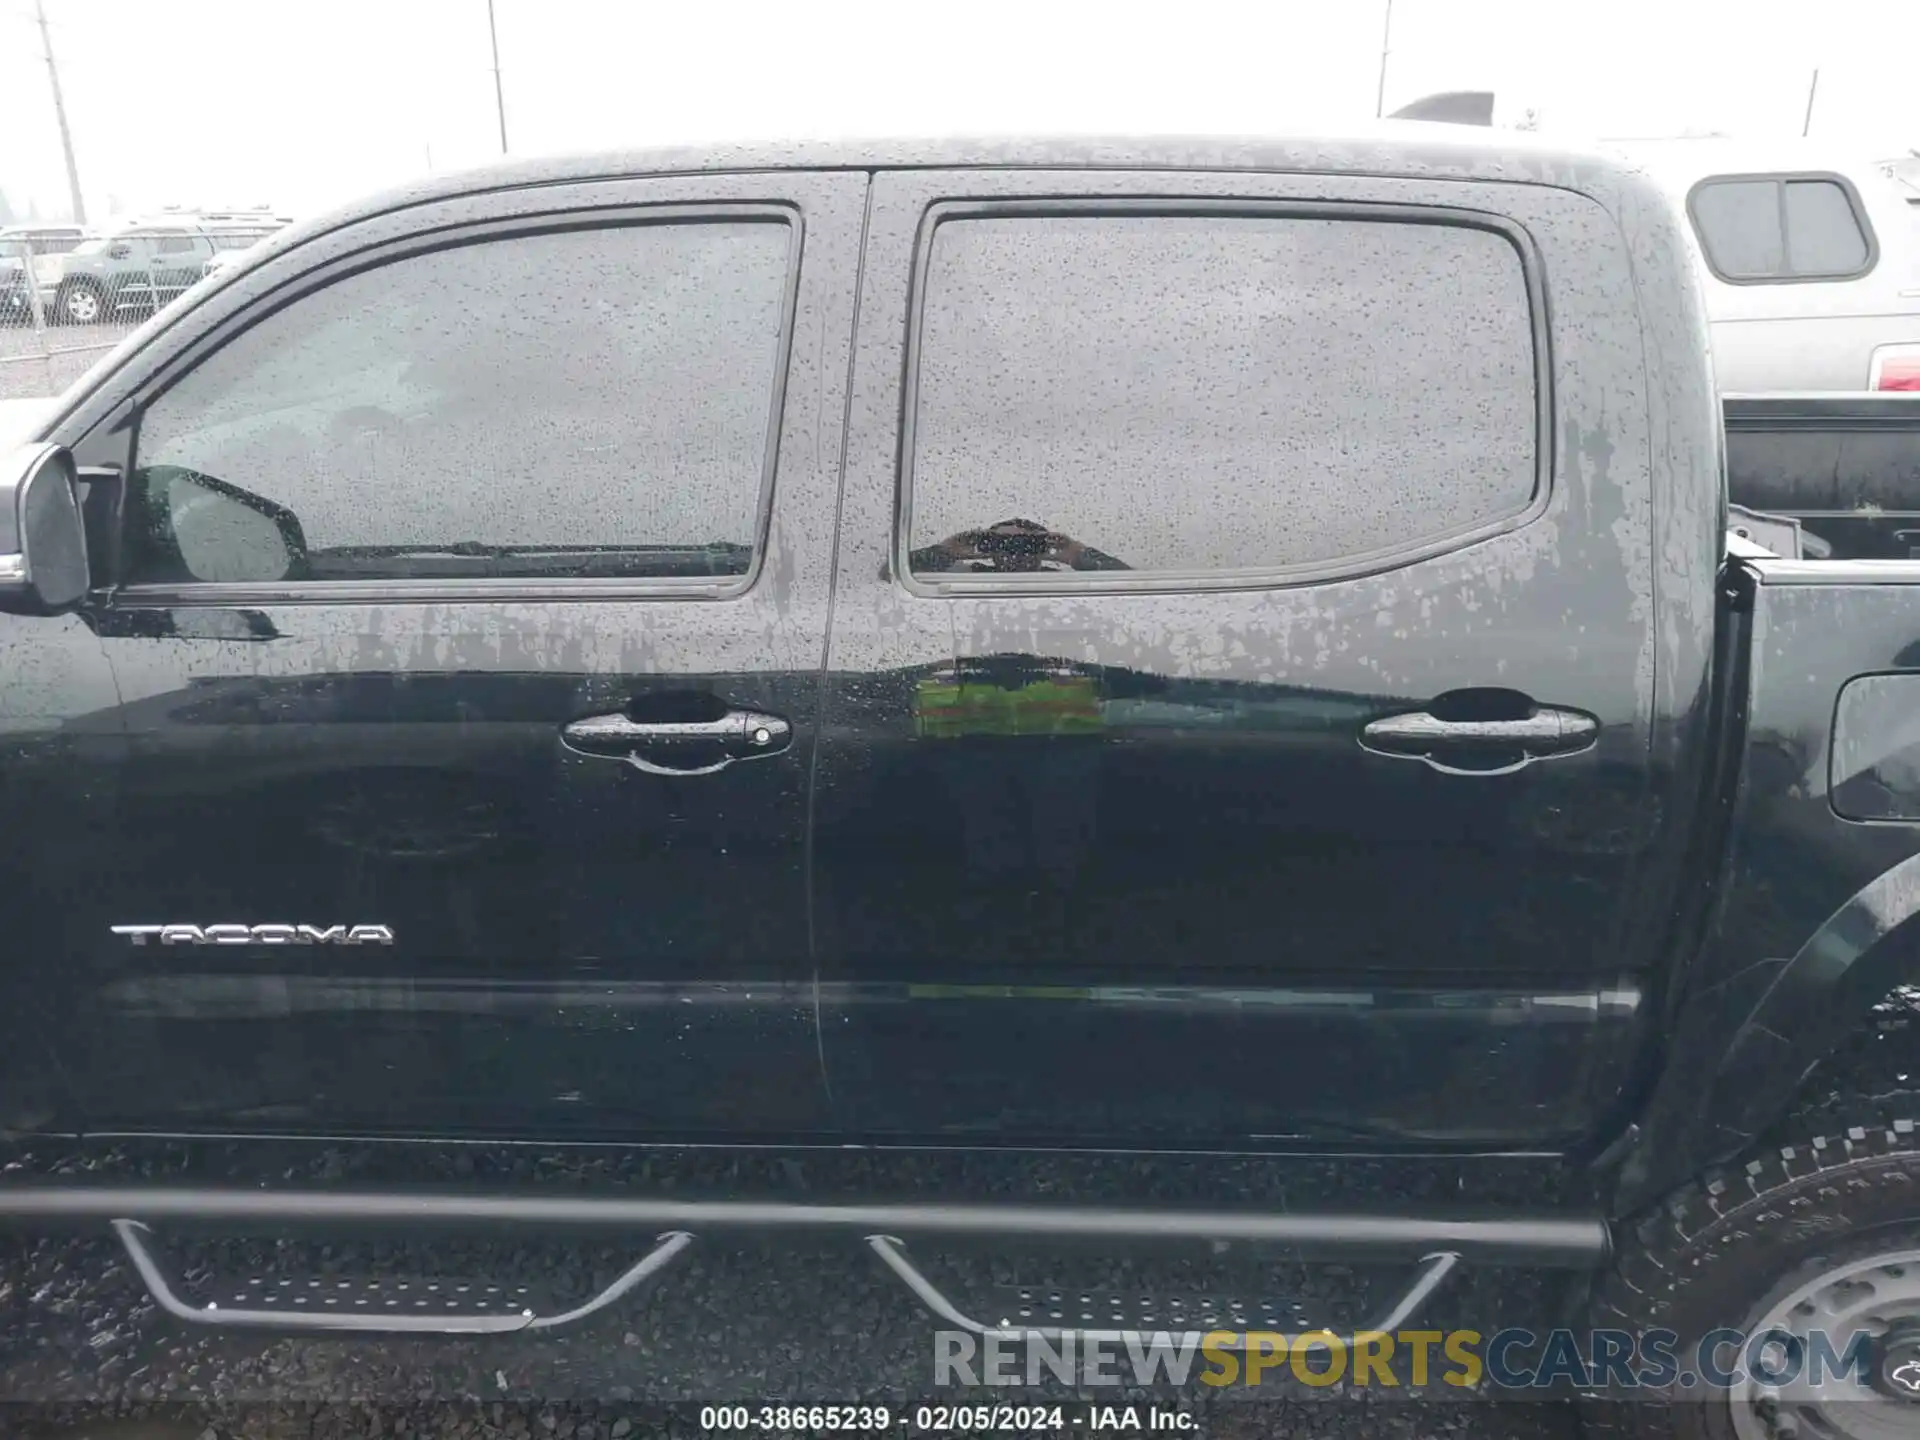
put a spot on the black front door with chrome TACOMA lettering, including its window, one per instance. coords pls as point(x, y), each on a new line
point(468, 638)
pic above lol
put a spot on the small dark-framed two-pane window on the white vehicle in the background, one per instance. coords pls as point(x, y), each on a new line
point(1781, 229)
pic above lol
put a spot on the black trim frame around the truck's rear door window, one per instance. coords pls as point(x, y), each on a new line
point(1268, 577)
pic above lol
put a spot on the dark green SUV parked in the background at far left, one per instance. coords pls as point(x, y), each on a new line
point(141, 268)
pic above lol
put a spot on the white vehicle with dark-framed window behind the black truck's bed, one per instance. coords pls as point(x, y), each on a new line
point(1810, 260)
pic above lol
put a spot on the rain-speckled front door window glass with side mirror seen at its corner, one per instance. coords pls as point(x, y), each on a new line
point(539, 406)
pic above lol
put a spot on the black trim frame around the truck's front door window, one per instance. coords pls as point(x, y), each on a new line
point(477, 588)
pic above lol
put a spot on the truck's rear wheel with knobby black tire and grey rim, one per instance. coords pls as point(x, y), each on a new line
point(1806, 1251)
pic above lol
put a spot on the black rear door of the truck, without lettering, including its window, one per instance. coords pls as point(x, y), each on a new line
point(1241, 669)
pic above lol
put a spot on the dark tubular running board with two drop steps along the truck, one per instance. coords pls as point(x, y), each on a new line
point(1435, 1247)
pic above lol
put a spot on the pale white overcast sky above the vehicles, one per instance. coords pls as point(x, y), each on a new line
point(308, 103)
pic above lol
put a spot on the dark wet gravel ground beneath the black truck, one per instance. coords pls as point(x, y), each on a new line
point(84, 1353)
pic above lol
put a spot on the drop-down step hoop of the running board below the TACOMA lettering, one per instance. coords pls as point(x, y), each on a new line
point(368, 1308)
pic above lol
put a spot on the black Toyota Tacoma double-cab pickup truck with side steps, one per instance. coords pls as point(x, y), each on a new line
point(1168, 650)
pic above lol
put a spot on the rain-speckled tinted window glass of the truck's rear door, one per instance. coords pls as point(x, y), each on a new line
point(1214, 393)
